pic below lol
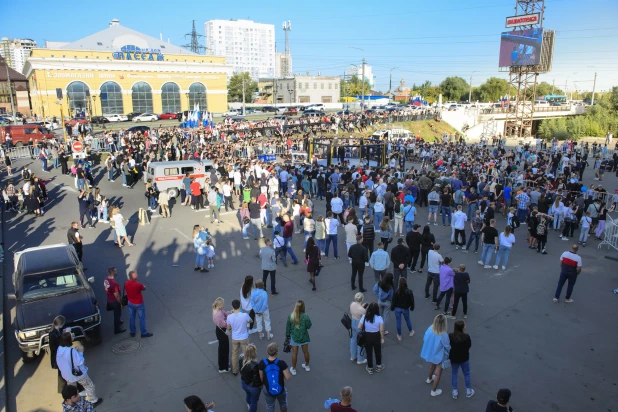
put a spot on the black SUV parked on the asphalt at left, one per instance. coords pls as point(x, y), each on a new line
point(49, 281)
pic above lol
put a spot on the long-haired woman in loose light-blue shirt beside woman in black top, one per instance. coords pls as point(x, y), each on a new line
point(436, 346)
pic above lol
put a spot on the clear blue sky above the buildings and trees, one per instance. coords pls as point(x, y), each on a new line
point(424, 40)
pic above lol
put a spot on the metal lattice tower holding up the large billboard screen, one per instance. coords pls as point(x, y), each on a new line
point(523, 79)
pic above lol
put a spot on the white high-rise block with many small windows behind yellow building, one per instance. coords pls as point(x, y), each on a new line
point(247, 45)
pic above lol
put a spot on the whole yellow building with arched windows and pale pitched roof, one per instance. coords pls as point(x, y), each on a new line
point(126, 75)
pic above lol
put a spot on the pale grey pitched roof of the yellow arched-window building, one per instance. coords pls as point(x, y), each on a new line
point(116, 36)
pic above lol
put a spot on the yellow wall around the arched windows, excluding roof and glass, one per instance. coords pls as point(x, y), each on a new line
point(48, 69)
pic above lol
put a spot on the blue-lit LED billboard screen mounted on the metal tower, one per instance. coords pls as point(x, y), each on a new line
point(521, 48)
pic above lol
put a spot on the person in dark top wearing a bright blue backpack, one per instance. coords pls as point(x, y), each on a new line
point(273, 373)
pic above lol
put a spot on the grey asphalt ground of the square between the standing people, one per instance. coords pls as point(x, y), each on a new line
point(555, 357)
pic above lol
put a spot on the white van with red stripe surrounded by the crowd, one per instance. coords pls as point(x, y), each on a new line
point(168, 175)
